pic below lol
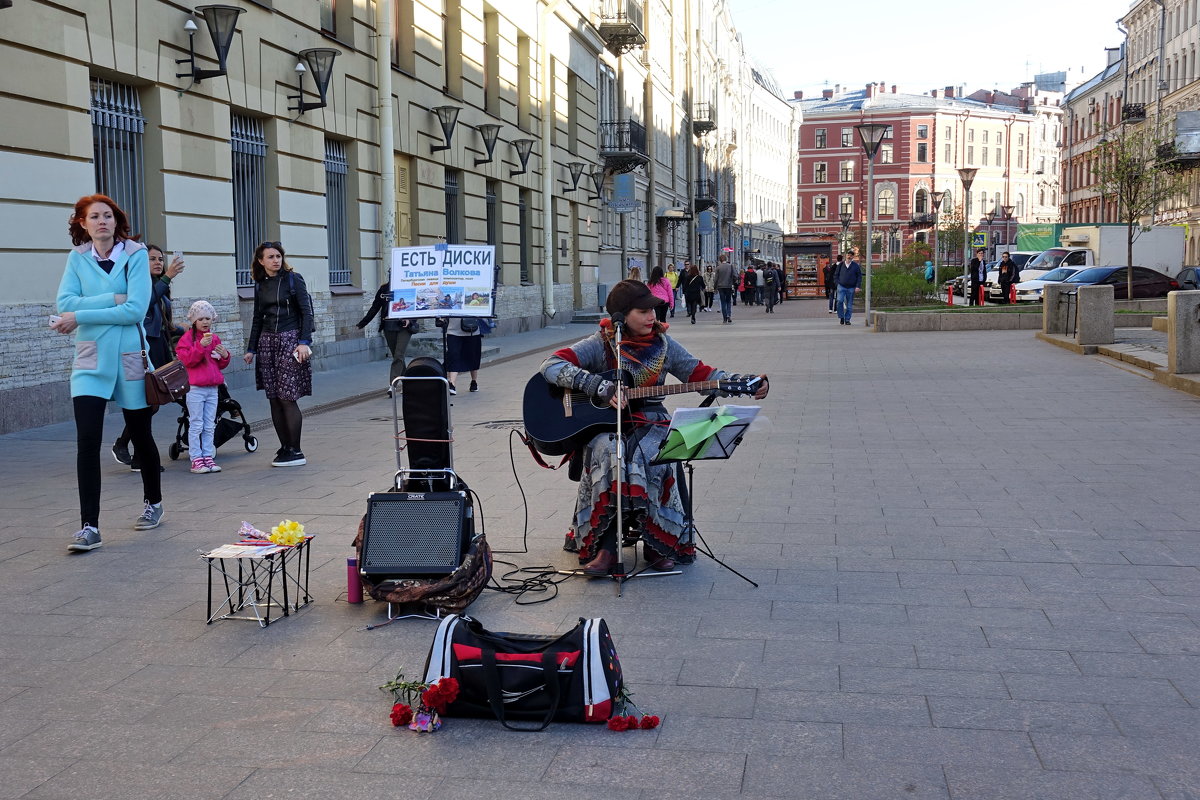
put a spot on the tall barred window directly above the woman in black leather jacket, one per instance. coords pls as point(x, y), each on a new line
point(249, 147)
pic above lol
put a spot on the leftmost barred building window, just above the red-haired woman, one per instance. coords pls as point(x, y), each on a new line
point(117, 140)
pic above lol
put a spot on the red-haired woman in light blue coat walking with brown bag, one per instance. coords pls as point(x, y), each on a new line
point(103, 299)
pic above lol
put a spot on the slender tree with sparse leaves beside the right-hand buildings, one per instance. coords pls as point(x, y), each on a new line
point(1133, 171)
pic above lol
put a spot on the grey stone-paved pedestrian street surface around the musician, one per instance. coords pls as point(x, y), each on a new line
point(944, 611)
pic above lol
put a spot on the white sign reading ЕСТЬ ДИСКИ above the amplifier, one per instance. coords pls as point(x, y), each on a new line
point(442, 281)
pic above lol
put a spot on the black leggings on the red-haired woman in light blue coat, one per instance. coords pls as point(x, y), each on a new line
point(89, 434)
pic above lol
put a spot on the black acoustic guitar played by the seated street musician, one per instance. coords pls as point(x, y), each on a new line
point(559, 420)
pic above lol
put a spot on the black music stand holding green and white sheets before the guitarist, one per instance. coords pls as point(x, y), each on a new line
point(697, 438)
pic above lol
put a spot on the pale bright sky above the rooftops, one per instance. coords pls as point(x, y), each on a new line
point(811, 46)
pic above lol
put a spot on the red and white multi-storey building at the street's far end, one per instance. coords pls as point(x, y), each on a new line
point(932, 136)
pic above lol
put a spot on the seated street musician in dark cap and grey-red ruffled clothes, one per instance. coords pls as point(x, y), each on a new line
point(653, 510)
